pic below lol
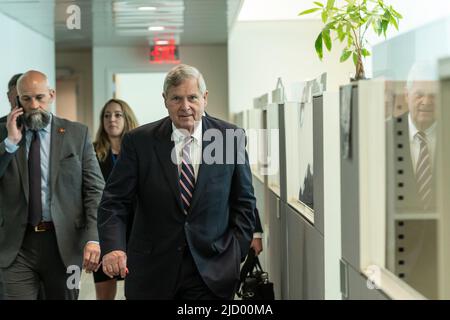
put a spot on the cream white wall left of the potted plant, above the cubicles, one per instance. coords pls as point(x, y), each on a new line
point(260, 52)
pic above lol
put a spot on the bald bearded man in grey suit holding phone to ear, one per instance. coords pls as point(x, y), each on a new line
point(50, 187)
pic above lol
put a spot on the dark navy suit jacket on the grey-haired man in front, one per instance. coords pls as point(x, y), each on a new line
point(217, 229)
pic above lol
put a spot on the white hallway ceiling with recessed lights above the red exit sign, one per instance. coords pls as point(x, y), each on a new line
point(191, 22)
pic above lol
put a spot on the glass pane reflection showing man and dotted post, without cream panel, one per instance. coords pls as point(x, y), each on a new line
point(411, 176)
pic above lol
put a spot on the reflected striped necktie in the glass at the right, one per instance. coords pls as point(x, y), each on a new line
point(424, 173)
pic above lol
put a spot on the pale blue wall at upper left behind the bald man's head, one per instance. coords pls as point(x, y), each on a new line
point(22, 49)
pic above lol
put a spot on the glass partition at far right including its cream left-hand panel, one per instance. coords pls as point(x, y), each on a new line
point(402, 166)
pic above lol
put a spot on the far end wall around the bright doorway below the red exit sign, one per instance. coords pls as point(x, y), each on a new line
point(210, 60)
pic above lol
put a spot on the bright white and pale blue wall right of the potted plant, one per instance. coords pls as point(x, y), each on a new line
point(423, 35)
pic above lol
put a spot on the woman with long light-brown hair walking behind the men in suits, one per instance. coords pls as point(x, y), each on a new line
point(116, 119)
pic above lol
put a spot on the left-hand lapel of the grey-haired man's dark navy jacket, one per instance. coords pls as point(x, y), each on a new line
point(163, 150)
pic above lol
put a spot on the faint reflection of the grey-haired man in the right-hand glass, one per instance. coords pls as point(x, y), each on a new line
point(414, 133)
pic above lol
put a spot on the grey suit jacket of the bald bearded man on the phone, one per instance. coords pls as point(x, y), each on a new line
point(76, 186)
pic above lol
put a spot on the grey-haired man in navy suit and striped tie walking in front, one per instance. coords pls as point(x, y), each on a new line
point(195, 204)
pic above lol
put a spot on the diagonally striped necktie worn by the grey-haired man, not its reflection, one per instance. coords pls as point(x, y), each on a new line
point(187, 176)
